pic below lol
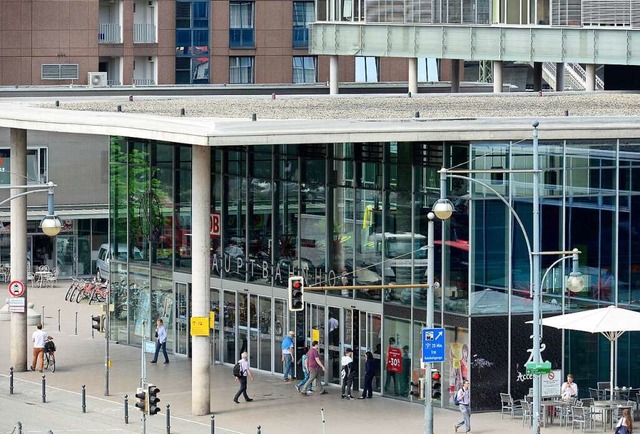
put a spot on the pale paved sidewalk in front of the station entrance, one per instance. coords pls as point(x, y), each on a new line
point(277, 407)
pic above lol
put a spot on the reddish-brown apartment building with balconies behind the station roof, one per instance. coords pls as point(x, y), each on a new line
point(166, 42)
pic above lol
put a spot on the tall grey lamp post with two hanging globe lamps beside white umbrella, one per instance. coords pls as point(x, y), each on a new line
point(443, 209)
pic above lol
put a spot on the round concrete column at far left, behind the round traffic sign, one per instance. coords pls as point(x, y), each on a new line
point(18, 154)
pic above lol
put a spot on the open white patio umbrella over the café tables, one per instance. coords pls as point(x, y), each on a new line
point(611, 321)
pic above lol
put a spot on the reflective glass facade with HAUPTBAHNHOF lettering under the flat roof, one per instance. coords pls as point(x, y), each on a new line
point(356, 213)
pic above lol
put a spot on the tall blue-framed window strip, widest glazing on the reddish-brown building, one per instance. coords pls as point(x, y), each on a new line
point(192, 42)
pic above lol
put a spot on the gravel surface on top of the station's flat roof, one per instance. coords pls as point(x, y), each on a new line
point(601, 104)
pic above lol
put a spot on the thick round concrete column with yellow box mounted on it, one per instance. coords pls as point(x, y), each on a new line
point(200, 272)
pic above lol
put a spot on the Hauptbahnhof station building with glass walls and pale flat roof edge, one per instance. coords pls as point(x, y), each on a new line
point(212, 214)
